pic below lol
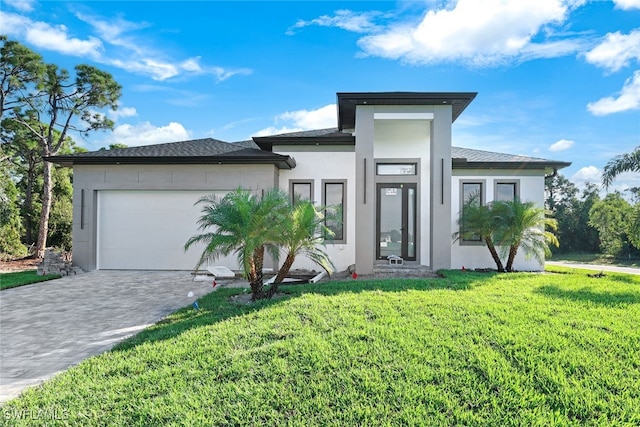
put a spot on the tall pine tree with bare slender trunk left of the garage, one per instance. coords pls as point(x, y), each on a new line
point(49, 105)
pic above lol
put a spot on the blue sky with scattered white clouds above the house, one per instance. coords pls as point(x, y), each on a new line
point(558, 79)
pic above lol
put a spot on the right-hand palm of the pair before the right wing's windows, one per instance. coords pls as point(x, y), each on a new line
point(523, 225)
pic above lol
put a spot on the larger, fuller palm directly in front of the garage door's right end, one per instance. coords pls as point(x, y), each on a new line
point(244, 224)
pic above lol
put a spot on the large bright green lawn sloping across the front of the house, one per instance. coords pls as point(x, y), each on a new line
point(519, 349)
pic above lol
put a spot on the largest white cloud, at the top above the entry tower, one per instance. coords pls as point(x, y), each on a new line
point(477, 33)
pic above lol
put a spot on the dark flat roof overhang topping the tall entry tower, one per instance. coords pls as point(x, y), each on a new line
point(348, 101)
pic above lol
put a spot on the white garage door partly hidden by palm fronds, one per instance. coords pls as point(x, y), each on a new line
point(147, 230)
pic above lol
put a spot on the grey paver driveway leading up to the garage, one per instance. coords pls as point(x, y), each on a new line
point(47, 327)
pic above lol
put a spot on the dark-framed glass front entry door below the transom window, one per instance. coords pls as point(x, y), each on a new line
point(396, 221)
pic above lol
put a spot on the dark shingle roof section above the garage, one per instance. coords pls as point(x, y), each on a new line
point(199, 151)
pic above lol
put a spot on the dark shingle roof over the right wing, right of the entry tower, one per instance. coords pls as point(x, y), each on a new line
point(467, 158)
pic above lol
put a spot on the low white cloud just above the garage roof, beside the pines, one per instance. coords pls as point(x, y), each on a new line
point(147, 134)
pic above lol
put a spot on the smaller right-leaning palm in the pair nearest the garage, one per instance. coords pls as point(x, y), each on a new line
point(303, 235)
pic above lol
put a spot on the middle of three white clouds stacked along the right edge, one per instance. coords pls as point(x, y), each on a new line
point(616, 51)
